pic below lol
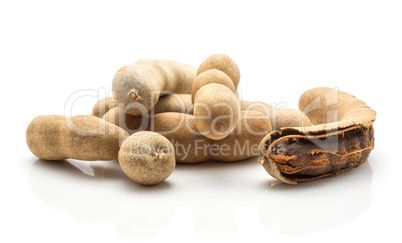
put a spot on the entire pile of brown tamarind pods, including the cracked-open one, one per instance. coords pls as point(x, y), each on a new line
point(165, 112)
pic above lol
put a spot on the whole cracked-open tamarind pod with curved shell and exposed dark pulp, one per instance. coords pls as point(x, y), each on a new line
point(342, 138)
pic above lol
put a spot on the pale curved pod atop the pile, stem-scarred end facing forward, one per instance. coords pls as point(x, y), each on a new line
point(138, 86)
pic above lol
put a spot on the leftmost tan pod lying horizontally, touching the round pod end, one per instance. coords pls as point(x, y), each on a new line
point(90, 138)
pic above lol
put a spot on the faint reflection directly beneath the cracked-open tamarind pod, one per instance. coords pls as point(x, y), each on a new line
point(316, 205)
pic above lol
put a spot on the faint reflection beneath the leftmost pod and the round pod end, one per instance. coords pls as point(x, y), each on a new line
point(106, 196)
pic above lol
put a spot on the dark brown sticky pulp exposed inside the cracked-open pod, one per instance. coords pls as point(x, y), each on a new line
point(304, 157)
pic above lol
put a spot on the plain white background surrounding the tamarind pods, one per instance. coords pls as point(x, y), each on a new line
point(51, 49)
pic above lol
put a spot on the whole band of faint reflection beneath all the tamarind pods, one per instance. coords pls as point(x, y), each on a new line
point(99, 192)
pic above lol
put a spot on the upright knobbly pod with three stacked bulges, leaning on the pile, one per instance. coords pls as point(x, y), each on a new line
point(214, 96)
